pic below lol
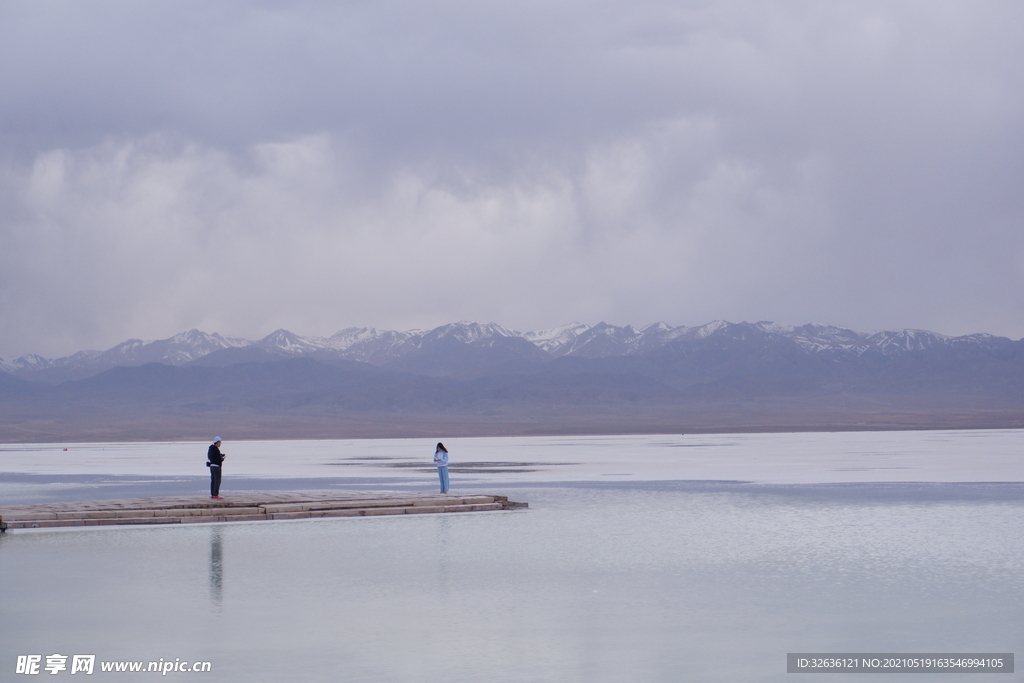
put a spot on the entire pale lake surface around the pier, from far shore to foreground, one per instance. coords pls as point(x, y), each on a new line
point(641, 560)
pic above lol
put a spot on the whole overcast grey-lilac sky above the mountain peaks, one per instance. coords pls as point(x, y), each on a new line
point(240, 167)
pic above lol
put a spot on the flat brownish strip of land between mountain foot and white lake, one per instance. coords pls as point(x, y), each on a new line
point(269, 429)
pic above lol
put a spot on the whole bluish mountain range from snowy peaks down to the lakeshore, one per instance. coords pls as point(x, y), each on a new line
point(470, 378)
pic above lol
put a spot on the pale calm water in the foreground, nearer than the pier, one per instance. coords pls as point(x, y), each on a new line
point(628, 584)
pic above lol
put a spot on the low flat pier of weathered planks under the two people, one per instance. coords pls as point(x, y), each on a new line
point(242, 507)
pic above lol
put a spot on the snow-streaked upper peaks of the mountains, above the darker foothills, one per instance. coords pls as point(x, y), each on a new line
point(417, 350)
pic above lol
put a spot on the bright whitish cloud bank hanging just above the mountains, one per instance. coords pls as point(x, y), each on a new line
point(152, 237)
